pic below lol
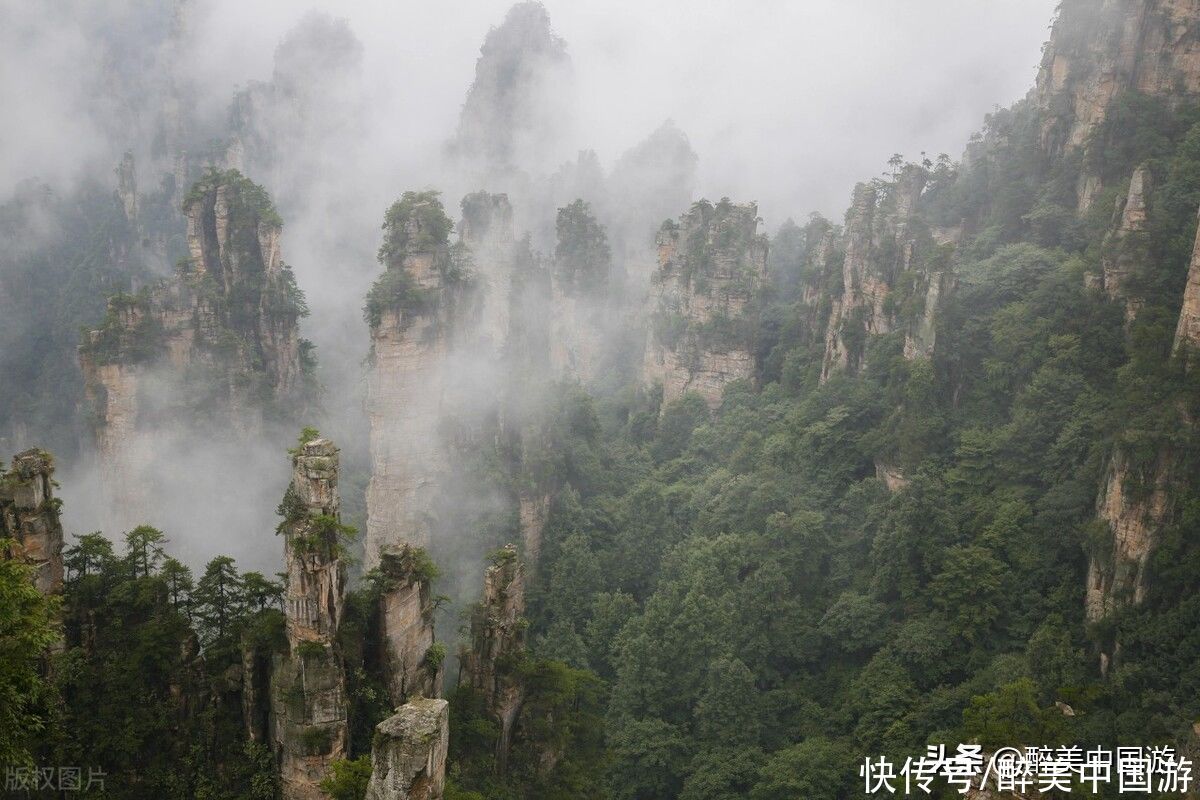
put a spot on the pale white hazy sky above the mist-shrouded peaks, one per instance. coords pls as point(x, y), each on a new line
point(789, 104)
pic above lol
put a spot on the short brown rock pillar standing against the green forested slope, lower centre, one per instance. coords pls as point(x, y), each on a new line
point(497, 642)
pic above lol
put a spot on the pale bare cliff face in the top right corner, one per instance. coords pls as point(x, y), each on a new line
point(1102, 51)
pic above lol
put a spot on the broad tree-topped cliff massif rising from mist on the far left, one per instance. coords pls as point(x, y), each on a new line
point(218, 342)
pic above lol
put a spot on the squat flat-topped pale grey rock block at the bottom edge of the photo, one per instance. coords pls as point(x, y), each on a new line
point(409, 757)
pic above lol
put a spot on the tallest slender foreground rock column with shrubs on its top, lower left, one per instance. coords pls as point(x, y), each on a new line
point(308, 685)
